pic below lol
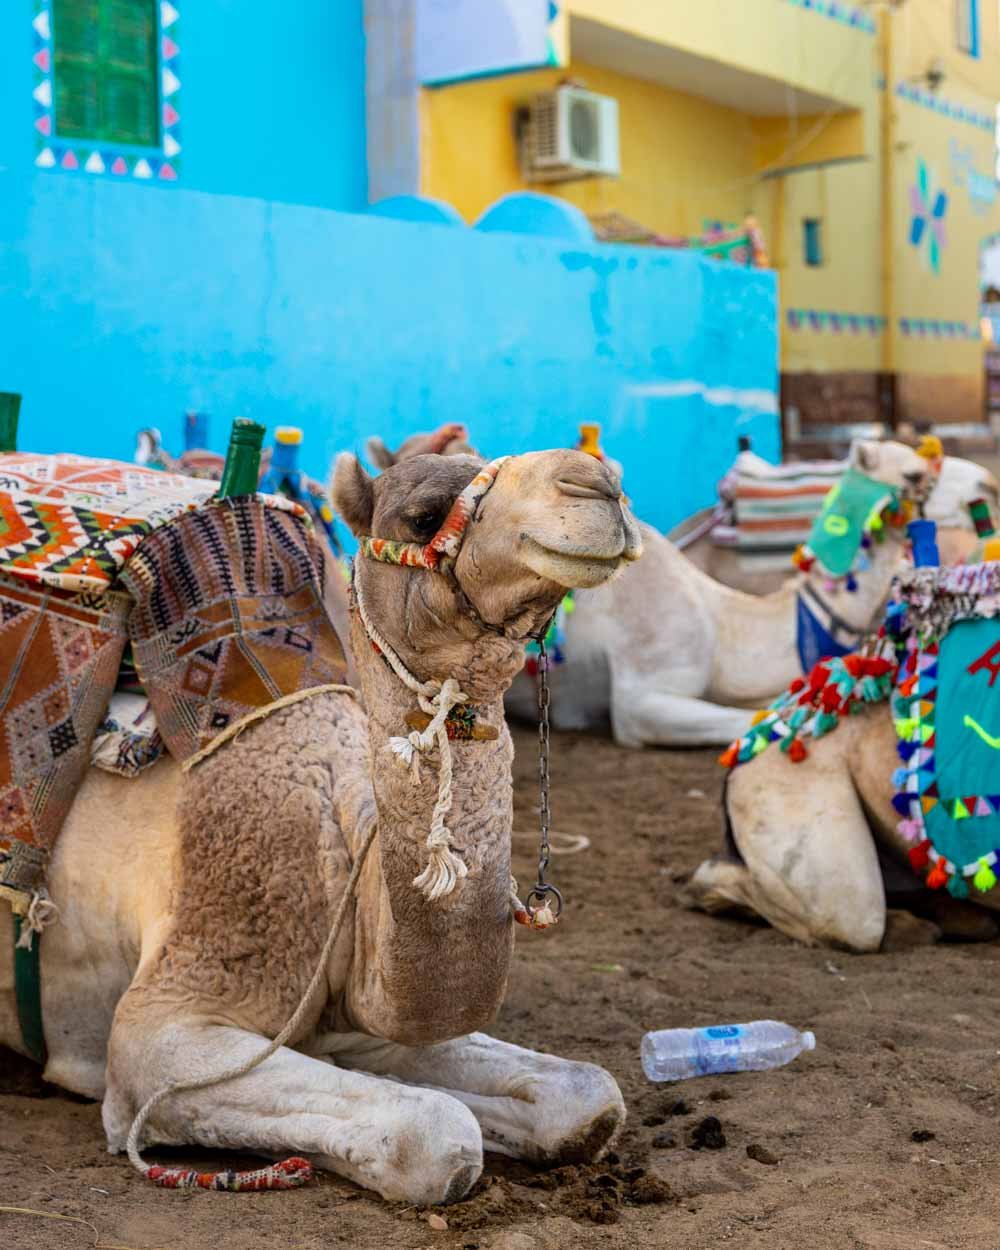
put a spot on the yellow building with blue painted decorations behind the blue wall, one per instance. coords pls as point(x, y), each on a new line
point(862, 136)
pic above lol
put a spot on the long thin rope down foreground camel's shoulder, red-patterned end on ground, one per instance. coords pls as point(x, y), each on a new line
point(291, 1173)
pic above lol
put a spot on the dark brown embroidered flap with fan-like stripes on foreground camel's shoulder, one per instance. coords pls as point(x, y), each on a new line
point(228, 618)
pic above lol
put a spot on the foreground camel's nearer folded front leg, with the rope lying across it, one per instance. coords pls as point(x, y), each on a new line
point(413, 1146)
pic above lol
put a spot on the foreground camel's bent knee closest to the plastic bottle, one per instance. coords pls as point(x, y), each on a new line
point(578, 1111)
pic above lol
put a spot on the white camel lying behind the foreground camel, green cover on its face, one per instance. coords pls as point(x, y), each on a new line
point(668, 657)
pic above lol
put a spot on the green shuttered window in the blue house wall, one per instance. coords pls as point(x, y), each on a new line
point(106, 71)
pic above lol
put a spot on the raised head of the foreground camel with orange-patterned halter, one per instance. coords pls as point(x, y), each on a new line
point(509, 551)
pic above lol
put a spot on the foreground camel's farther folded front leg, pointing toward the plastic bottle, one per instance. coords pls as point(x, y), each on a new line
point(532, 1107)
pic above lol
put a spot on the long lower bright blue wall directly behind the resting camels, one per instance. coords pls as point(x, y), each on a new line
point(124, 306)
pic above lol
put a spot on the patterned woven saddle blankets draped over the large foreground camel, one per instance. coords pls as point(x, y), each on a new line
point(218, 604)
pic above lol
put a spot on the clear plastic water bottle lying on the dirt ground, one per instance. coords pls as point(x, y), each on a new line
point(677, 1054)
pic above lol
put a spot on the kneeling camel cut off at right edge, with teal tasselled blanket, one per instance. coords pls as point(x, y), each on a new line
point(876, 774)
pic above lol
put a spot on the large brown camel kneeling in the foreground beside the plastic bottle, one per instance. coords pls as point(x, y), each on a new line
point(194, 908)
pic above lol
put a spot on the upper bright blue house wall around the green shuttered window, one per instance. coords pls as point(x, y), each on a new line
point(273, 99)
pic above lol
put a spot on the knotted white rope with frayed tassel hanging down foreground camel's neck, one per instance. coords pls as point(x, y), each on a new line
point(437, 699)
